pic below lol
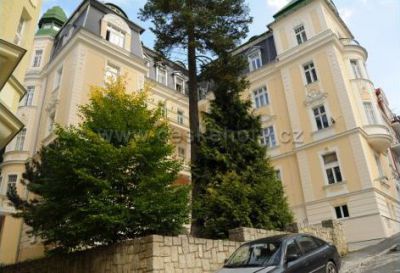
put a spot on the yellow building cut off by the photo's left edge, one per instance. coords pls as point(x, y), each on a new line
point(18, 23)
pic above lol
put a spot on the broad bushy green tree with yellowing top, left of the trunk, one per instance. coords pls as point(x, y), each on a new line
point(109, 179)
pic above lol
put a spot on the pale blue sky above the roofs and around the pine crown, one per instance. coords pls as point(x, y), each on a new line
point(374, 23)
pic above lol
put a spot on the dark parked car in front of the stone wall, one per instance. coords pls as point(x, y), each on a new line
point(290, 253)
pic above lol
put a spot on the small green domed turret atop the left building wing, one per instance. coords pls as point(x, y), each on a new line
point(51, 21)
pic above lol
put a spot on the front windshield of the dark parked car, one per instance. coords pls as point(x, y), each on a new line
point(255, 255)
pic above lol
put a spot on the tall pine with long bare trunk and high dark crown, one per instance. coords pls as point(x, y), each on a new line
point(200, 27)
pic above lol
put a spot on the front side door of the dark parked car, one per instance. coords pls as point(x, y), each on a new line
point(297, 266)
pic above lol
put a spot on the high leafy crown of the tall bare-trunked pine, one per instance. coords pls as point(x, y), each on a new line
point(215, 24)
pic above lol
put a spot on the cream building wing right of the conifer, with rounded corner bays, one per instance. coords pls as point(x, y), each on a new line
point(333, 146)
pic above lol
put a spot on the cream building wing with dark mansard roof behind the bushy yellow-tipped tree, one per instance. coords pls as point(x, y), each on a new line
point(96, 42)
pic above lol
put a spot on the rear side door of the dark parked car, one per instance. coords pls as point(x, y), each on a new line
point(313, 254)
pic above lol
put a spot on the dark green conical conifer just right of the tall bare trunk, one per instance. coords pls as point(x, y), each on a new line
point(238, 186)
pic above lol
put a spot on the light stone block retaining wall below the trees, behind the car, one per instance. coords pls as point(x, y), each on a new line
point(164, 254)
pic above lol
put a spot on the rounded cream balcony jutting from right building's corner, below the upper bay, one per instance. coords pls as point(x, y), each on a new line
point(378, 137)
